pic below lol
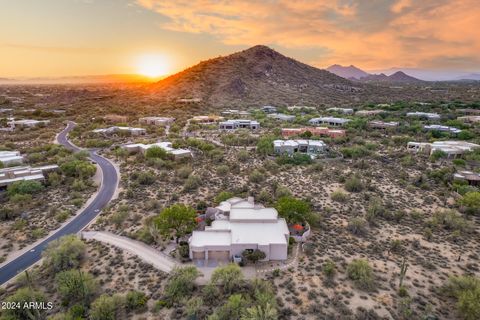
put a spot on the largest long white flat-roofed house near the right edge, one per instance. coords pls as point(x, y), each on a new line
point(451, 148)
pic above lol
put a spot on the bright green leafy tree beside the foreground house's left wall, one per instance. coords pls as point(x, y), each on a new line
point(177, 219)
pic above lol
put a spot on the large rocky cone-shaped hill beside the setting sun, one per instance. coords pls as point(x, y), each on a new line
point(255, 76)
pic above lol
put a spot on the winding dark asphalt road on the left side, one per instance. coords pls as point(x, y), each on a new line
point(104, 195)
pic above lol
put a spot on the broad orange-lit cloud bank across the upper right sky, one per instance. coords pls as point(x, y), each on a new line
point(371, 34)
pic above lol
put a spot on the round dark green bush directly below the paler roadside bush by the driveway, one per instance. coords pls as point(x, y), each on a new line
point(75, 286)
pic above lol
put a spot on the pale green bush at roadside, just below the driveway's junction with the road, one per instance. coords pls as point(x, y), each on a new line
point(64, 253)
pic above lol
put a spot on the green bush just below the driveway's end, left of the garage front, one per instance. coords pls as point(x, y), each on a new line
point(181, 283)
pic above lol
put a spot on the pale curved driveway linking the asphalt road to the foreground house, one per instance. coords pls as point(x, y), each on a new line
point(154, 257)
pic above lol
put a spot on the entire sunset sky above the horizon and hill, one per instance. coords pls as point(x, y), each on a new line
point(86, 37)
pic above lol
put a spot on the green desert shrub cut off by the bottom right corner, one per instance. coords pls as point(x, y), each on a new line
point(466, 290)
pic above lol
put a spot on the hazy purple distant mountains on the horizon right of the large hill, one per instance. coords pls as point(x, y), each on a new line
point(353, 73)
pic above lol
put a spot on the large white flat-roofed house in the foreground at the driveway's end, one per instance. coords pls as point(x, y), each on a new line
point(243, 226)
